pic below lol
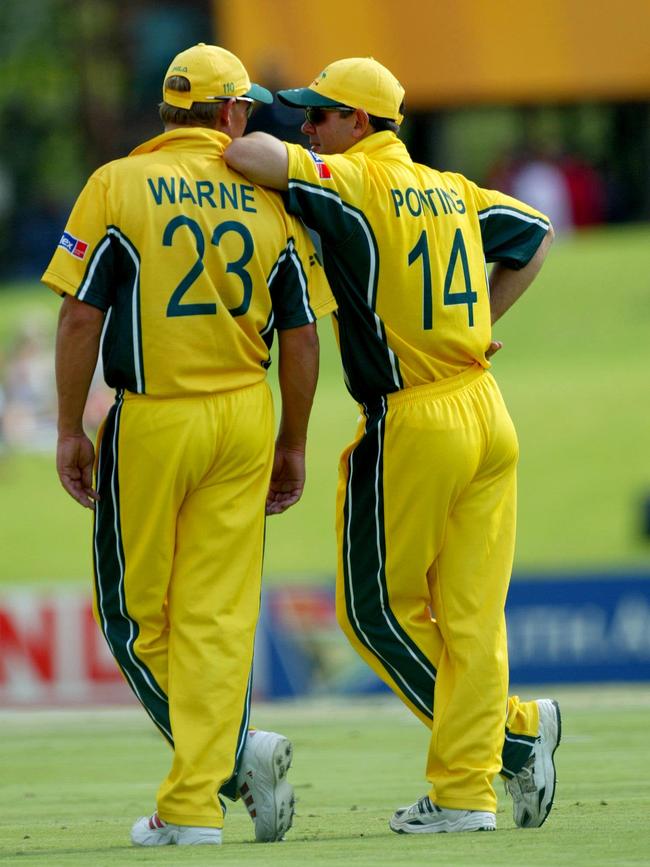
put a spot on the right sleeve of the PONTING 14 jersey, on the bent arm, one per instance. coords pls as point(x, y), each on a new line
point(511, 230)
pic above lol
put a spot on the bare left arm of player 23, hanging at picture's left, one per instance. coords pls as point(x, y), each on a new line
point(77, 346)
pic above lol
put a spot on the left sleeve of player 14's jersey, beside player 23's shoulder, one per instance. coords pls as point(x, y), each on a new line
point(320, 187)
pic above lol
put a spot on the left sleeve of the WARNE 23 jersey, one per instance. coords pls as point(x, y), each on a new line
point(83, 262)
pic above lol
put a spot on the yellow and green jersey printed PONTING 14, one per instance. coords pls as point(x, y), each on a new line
point(405, 250)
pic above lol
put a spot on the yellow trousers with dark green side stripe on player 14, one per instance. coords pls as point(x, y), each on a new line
point(426, 516)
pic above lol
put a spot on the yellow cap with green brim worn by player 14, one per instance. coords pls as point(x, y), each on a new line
point(357, 82)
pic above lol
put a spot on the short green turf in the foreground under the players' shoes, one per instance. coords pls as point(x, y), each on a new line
point(73, 783)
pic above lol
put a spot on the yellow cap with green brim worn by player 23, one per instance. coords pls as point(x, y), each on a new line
point(213, 73)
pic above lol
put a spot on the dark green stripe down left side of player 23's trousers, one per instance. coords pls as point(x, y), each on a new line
point(119, 629)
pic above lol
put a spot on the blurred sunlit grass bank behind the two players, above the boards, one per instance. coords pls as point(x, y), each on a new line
point(574, 371)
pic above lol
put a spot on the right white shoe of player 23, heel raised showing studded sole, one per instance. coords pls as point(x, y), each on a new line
point(263, 786)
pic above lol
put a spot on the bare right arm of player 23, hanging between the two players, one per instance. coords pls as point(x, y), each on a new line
point(298, 375)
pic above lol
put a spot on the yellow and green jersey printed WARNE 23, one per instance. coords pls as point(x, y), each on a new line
point(194, 266)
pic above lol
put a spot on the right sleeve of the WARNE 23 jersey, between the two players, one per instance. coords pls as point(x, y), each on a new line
point(300, 293)
